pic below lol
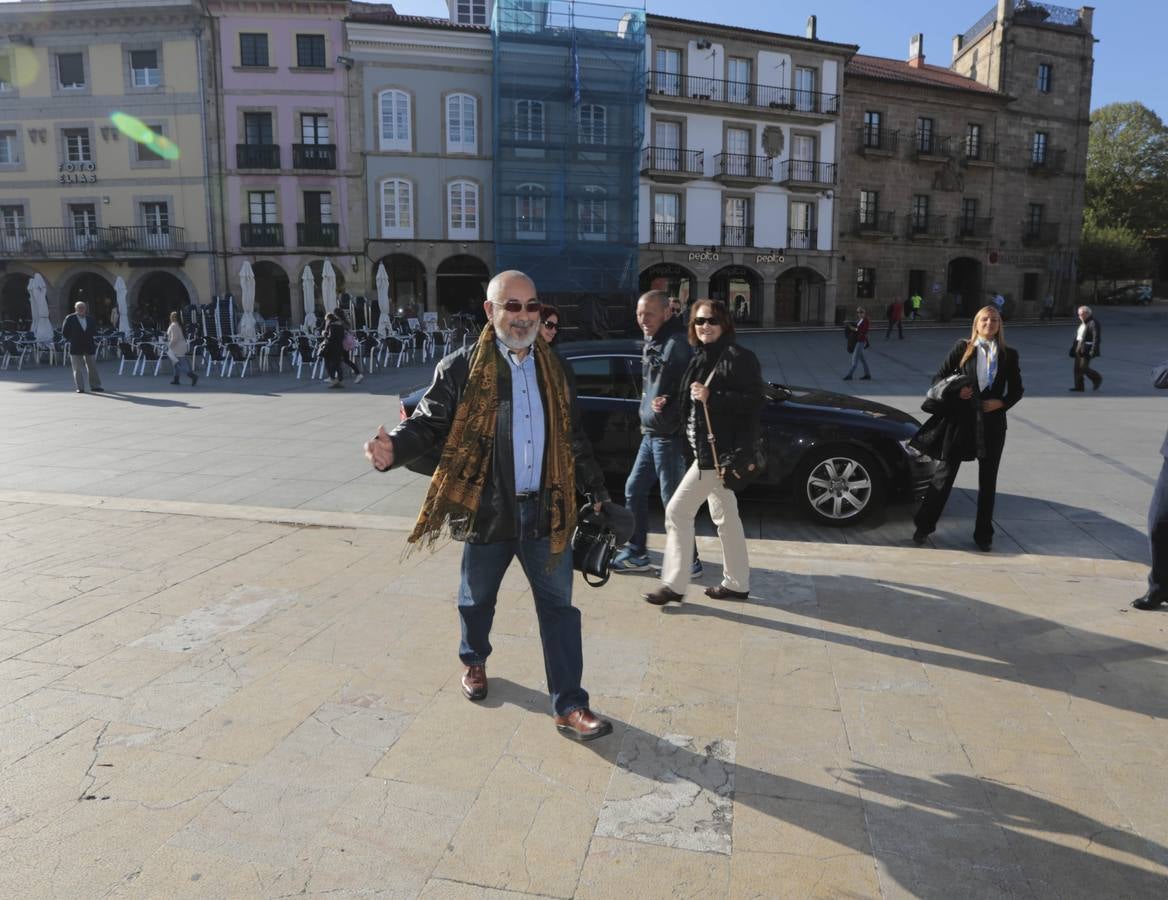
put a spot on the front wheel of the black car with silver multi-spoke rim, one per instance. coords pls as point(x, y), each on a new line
point(842, 486)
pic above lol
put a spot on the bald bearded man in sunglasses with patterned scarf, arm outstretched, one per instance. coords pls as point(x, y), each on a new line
point(513, 456)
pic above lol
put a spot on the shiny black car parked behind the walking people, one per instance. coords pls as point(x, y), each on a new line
point(838, 457)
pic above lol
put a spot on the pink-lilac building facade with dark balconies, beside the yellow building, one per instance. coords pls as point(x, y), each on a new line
point(288, 193)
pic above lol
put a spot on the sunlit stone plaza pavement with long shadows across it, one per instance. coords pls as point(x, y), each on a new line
point(221, 678)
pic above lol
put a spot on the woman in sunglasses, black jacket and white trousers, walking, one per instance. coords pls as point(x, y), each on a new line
point(724, 382)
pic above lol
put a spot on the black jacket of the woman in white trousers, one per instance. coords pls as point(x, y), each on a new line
point(736, 400)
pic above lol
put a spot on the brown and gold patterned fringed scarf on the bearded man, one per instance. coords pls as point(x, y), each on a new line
point(457, 484)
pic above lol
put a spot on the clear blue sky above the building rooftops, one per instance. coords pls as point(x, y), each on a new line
point(1131, 64)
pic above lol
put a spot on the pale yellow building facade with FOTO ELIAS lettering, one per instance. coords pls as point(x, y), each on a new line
point(103, 163)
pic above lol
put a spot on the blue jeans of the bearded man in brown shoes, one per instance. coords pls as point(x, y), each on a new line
point(484, 567)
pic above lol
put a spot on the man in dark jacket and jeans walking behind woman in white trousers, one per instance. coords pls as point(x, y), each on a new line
point(662, 457)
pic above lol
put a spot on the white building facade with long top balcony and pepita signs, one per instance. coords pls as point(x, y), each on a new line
point(741, 168)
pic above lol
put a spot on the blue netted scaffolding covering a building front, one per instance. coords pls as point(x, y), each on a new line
point(569, 109)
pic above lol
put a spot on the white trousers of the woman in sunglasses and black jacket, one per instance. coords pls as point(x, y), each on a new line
point(698, 487)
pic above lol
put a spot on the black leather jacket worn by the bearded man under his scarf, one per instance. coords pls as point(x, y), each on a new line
point(427, 430)
